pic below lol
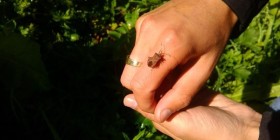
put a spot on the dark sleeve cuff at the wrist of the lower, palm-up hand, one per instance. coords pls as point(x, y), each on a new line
point(270, 126)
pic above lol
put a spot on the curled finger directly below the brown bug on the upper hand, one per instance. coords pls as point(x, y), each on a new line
point(146, 81)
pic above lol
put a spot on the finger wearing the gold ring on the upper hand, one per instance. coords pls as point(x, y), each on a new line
point(146, 39)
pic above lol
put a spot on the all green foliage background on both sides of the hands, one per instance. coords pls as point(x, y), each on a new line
point(61, 61)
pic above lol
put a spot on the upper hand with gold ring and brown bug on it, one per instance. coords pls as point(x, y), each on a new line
point(191, 34)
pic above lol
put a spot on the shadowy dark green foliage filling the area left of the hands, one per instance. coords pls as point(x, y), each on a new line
point(61, 62)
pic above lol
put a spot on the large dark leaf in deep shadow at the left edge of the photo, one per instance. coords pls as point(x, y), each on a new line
point(20, 62)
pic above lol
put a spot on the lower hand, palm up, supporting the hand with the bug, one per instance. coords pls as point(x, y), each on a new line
point(210, 116)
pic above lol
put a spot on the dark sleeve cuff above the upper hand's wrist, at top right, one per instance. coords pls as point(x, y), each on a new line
point(245, 10)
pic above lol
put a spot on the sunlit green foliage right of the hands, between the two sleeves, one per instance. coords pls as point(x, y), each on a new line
point(248, 70)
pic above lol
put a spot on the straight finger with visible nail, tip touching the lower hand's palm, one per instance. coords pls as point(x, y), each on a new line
point(180, 95)
